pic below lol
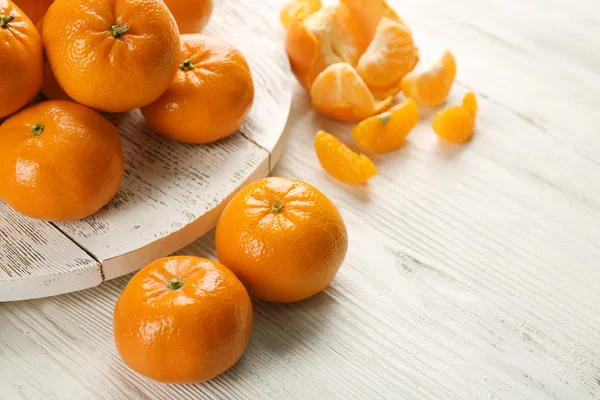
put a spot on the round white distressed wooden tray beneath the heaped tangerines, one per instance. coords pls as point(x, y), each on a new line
point(171, 193)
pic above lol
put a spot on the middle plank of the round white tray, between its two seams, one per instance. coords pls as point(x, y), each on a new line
point(171, 195)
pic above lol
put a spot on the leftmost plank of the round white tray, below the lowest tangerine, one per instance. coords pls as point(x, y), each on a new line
point(36, 260)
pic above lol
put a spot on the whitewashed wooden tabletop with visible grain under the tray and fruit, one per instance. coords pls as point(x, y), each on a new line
point(473, 272)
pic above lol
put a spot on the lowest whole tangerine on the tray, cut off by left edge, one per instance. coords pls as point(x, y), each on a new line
point(59, 161)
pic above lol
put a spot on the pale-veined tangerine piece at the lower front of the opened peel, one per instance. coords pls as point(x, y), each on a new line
point(340, 93)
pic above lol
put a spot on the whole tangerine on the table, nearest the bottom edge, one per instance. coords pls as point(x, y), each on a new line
point(182, 320)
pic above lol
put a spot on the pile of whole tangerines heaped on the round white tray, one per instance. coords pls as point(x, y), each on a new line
point(62, 160)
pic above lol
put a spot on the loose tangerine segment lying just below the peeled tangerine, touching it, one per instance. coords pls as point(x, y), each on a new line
point(387, 131)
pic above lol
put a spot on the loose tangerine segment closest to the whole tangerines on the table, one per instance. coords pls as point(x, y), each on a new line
point(341, 162)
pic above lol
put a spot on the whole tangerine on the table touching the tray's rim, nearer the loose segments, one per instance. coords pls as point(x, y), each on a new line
point(283, 238)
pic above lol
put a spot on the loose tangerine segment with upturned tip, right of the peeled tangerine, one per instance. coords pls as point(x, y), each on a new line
point(431, 87)
